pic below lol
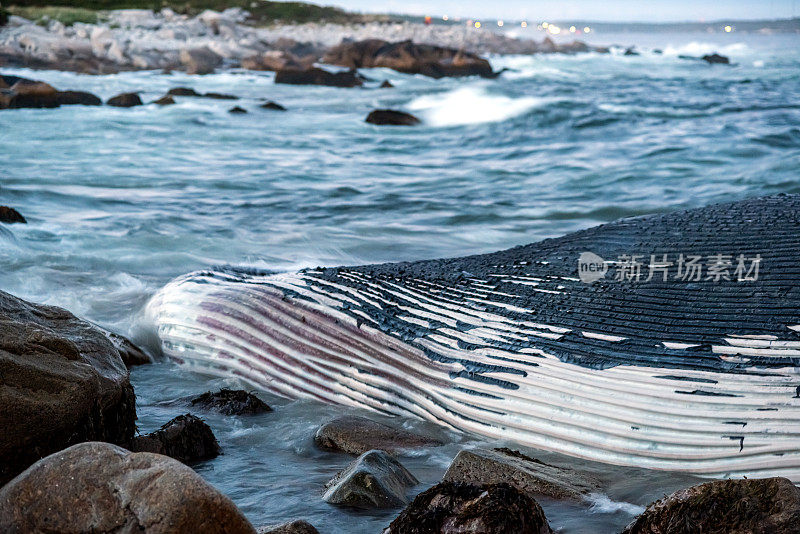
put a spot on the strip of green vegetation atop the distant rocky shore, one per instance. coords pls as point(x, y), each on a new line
point(262, 12)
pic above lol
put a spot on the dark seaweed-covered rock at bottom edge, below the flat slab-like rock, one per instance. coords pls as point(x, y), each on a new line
point(454, 508)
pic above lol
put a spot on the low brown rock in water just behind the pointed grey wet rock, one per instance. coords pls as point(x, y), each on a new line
point(357, 435)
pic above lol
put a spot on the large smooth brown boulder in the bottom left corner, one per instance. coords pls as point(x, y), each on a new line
point(101, 488)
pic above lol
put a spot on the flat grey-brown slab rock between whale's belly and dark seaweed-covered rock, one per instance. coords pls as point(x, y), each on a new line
point(532, 477)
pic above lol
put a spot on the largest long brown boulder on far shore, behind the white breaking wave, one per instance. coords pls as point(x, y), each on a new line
point(409, 57)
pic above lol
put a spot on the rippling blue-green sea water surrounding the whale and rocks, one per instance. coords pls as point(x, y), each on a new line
point(119, 201)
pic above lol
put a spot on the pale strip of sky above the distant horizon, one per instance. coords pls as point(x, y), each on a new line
point(595, 10)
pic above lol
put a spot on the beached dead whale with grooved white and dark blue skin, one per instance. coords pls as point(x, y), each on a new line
point(556, 345)
